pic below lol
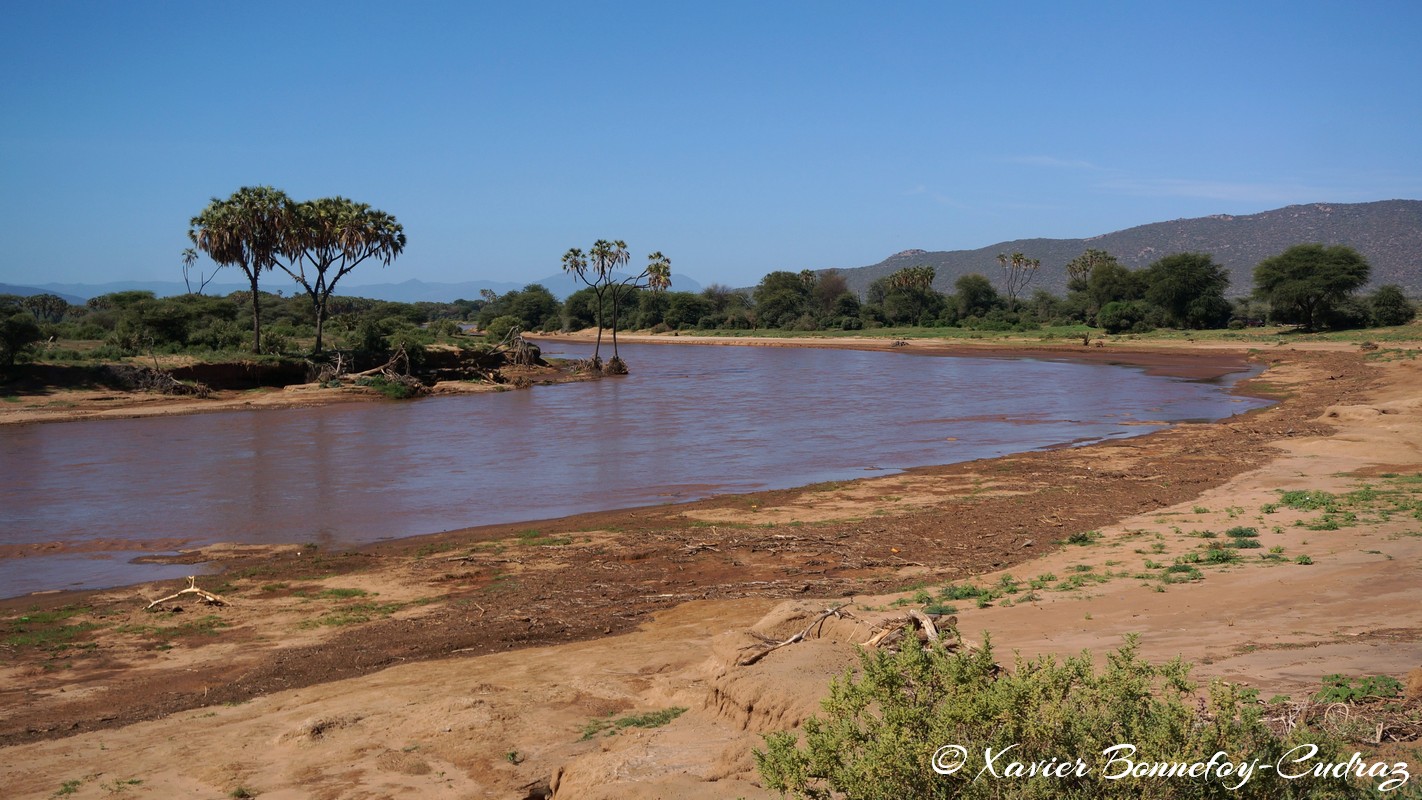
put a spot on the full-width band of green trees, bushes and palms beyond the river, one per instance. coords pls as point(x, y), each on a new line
point(1312, 286)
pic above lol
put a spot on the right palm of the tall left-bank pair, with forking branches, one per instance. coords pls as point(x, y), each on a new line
point(329, 238)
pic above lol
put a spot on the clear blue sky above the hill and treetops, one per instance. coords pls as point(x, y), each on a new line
point(736, 137)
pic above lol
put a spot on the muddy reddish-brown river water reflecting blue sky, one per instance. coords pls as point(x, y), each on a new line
point(689, 423)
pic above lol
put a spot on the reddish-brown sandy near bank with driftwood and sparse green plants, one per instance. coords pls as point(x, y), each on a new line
point(597, 657)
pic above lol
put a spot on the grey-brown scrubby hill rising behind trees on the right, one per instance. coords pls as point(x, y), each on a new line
point(1389, 234)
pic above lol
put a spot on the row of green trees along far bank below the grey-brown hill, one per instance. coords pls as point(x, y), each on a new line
point(1312, 286)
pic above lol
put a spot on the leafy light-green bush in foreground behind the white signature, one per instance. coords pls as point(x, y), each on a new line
point(881, 734)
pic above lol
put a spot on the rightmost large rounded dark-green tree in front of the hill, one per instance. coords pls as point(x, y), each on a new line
point(1310, 279)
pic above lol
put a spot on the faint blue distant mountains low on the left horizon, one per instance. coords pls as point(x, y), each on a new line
point(413, 291)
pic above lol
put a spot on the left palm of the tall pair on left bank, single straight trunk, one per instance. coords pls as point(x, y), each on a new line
point(247, 231)
